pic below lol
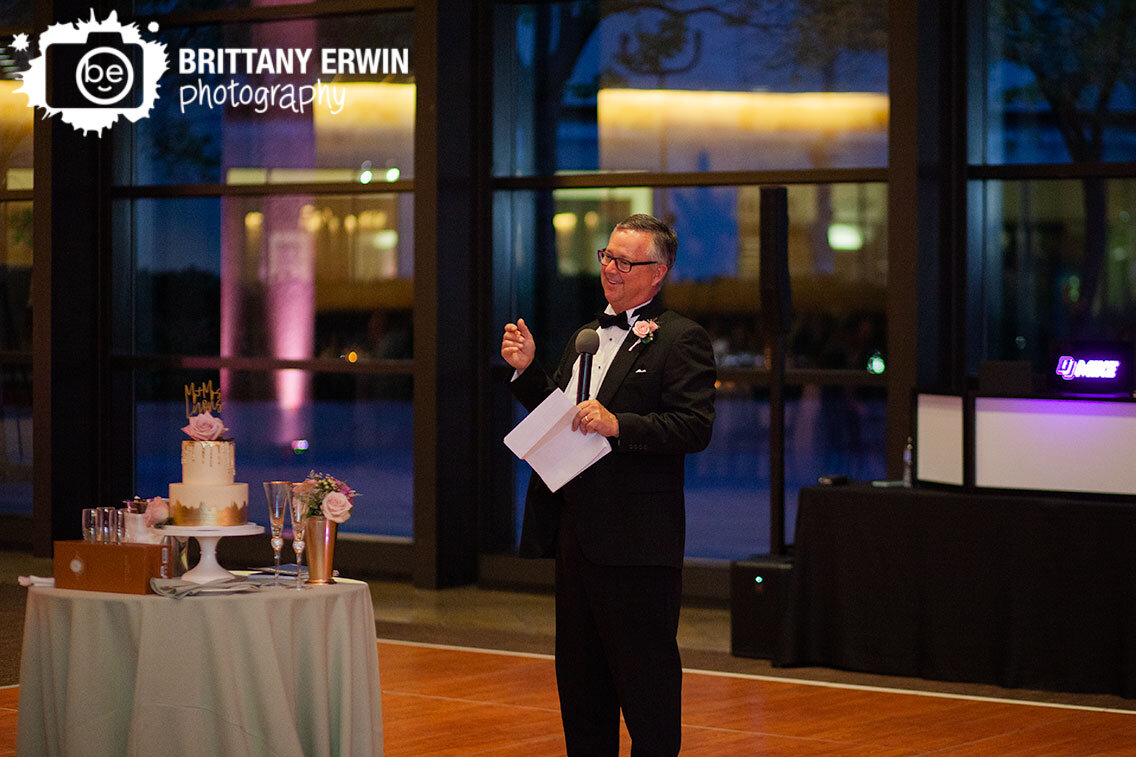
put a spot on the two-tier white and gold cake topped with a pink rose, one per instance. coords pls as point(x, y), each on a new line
point(207, 495)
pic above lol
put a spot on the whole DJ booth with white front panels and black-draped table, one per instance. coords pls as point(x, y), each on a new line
point(1015, 564)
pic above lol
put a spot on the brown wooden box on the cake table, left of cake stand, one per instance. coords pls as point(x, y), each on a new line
point(124, 569)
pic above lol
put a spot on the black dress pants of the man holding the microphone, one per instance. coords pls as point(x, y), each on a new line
point(617, 650)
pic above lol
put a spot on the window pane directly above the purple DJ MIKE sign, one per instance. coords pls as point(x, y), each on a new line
point(1057, 261)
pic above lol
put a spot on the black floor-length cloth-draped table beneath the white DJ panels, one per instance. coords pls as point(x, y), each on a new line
point(1015, 590)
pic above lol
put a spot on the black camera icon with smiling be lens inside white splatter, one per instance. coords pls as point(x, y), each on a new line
point(106, 73)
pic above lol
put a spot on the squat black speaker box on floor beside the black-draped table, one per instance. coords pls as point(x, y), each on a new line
point(758, 603)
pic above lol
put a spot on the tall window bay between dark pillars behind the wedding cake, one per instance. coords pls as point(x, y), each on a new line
point(298, 304)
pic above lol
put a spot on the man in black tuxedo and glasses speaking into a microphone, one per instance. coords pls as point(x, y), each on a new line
point(617, 530)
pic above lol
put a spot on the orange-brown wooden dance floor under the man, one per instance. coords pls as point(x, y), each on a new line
point(444, 701)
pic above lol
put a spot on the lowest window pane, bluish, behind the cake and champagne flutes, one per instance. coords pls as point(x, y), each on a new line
point(355, 429)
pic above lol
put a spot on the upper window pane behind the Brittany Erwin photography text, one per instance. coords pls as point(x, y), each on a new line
point(190, 138)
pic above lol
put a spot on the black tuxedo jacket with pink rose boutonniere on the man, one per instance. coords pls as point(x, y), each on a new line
point(629, 508)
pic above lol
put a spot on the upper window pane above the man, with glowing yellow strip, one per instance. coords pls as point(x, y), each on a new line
point(684, 87)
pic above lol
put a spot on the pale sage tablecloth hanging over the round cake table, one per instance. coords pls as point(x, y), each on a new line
point(278, 672)
